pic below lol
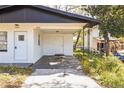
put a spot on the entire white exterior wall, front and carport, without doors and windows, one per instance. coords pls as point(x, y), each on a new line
point(35, 52)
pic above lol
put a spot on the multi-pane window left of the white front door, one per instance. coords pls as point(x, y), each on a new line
point(3, 41)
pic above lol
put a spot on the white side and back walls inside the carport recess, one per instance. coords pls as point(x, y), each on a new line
point(39, 51)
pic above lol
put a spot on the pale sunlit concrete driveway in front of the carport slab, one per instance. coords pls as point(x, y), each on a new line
point(56, 78)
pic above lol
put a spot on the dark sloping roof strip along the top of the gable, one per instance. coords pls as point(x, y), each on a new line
point(71, 15)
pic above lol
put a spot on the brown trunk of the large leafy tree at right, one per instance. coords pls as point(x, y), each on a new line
point(106, 38)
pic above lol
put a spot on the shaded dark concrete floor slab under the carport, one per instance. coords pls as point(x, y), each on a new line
point(56, 62)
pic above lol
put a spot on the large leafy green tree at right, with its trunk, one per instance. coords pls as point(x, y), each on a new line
point(111, 18)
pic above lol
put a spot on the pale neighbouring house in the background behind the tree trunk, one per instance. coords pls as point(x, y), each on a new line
point(97, 42)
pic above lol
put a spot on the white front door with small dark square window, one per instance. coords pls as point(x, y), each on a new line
point(20, 47)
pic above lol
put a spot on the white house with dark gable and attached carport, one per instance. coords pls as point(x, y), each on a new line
point(28, 32)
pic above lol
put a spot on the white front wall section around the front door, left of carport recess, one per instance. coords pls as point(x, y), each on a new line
point(8, 57)
